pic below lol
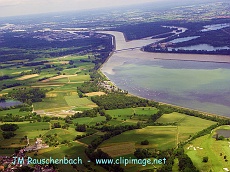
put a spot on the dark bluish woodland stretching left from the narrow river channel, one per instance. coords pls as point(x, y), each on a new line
point(27, 47)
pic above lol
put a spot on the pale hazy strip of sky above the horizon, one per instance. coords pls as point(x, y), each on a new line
point(10, 8)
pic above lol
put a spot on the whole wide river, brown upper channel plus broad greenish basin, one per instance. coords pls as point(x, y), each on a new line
point(200, 82)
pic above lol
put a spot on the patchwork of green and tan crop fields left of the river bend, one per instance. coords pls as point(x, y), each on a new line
point(60, 99)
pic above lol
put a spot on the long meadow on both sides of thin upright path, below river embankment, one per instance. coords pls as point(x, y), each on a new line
point(159, 137)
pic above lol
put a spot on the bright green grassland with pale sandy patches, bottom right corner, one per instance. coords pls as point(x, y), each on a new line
point(207, 146)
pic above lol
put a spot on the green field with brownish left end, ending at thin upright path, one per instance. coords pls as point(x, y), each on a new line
point(160, 137)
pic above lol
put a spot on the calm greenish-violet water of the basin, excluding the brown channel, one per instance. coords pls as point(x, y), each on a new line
point(203, 86)
